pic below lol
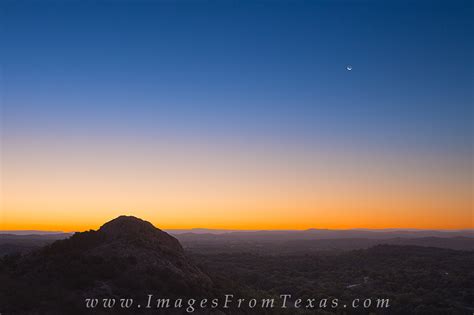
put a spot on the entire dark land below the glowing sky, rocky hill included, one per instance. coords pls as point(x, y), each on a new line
point(129, 258)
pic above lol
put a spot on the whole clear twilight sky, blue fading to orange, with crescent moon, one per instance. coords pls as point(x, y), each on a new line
point(237, 114)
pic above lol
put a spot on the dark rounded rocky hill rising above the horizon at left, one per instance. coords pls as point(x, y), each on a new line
point(126, 257)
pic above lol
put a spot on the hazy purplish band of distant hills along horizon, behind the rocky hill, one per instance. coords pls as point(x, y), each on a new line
point(313, 240)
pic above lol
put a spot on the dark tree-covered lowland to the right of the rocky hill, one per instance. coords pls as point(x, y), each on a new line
point(417, 280)
